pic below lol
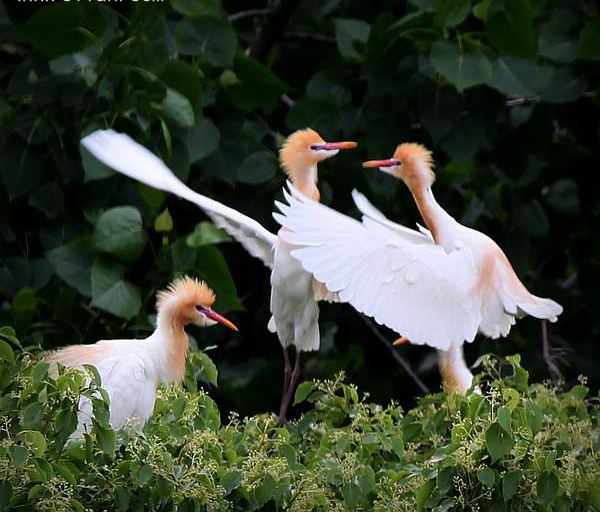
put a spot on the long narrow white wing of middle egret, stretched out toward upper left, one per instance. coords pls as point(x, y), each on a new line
point(126, 156)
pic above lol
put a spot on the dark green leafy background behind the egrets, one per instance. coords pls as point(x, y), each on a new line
point(504, 92)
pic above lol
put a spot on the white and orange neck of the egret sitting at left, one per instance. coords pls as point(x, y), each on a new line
point(174, 344)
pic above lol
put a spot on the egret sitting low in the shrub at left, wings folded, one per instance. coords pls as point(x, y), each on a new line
point(131, 370)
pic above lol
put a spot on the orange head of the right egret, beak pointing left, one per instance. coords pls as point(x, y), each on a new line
point(411, 163)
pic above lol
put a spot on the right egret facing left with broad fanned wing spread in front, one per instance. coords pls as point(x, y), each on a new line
point(437, 286)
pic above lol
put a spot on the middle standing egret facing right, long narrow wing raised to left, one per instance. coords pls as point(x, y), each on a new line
point(294, 292)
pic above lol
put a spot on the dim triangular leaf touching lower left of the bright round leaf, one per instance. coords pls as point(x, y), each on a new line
point(73, 262)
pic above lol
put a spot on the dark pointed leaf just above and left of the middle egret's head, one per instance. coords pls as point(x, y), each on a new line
point(255, 86)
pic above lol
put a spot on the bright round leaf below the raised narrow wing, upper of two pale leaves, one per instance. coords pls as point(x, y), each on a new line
point(119, 232)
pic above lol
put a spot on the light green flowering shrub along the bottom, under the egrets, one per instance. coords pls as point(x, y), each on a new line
point(514, 445)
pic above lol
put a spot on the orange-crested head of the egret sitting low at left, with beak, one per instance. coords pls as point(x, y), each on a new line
point(189, 301)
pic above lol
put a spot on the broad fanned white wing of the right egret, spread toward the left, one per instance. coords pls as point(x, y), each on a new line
point(410, 286)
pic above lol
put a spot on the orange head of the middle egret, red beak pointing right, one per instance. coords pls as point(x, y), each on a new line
point(304, 149)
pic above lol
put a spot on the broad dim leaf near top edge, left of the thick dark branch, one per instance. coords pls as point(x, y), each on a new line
point(210, 37)
